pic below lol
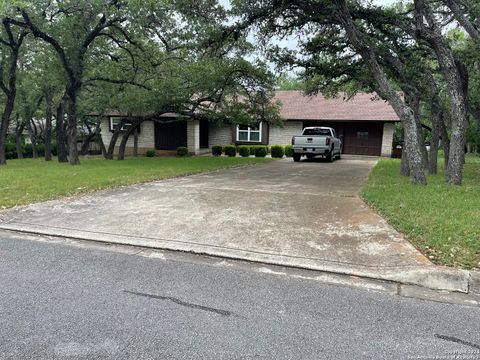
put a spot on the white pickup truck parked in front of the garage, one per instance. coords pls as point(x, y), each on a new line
point(317, 141)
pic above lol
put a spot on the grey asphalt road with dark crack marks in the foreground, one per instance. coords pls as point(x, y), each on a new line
point(66, 302)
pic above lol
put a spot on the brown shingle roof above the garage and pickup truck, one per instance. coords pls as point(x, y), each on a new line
point(362, 107)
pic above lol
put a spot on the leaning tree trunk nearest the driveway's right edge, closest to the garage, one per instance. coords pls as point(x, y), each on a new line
point(387, 91)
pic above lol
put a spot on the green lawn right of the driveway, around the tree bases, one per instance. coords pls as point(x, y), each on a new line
point(441, 221)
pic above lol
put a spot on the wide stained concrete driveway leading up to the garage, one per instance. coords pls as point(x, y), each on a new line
point(305, 214)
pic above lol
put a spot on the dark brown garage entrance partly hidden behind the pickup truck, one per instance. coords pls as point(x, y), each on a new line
point(358, 138)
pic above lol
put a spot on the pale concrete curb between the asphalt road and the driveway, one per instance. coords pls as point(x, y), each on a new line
point(428, 276)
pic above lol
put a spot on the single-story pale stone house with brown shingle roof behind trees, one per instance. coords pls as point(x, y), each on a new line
point(364, 123)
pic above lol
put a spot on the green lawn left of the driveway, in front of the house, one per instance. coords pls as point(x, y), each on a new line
point(28, 181)
